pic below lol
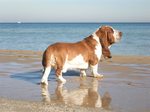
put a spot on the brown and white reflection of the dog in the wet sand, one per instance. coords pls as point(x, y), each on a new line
point(86, 95)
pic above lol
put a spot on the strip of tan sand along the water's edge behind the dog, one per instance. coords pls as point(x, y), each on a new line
point(116, 58)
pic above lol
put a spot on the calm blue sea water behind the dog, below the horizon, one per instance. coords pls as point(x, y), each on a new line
point(38, 36)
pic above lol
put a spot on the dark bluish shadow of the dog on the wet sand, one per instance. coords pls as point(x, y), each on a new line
point(35, 76)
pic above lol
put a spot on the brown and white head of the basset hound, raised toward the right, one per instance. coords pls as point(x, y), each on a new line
point(108, 36)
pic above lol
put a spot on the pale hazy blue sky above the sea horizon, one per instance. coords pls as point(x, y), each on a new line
point(75, 10)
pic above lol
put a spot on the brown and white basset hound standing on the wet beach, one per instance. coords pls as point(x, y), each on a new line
point(80, 55)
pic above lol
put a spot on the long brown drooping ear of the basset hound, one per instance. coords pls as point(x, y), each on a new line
point(104, 42)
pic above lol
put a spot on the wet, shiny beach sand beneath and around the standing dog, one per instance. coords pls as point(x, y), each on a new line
point(124, 88)
